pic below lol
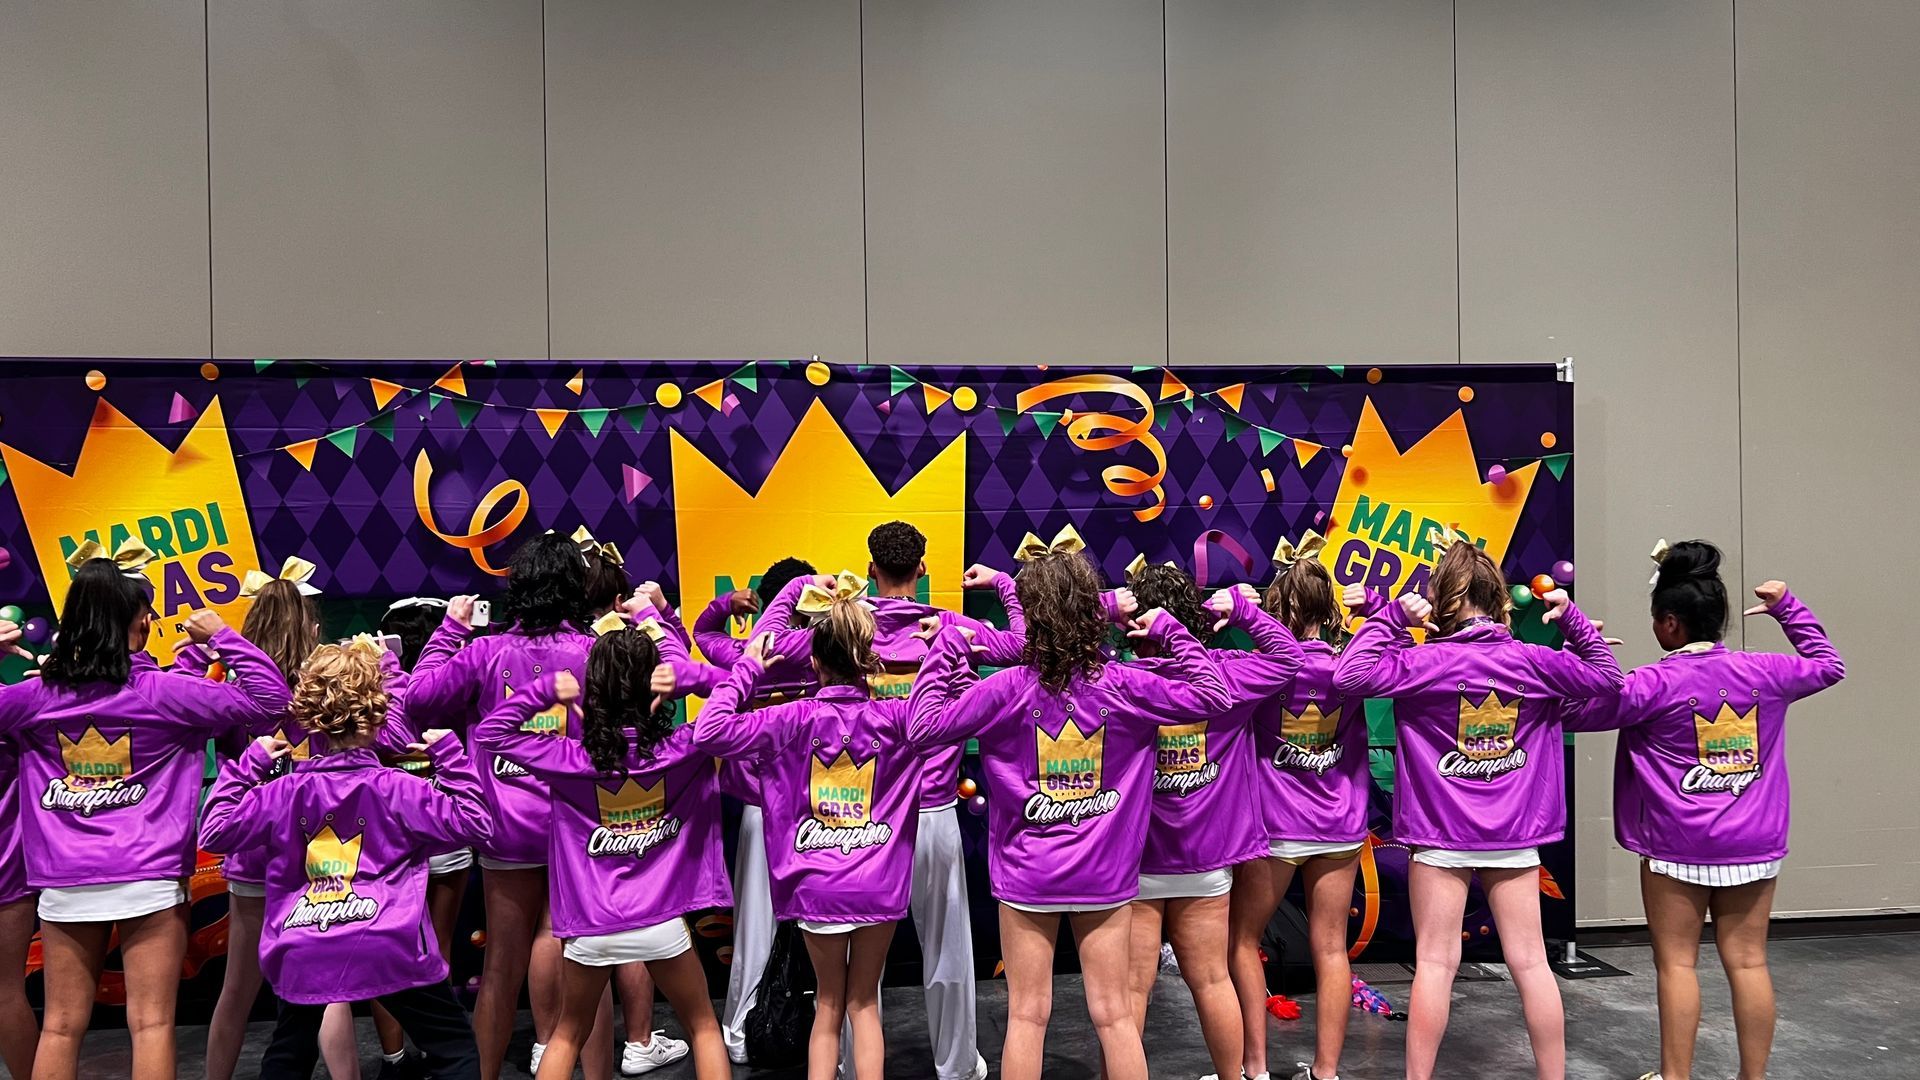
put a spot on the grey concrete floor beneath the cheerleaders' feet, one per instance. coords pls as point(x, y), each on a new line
point(1846, 1012)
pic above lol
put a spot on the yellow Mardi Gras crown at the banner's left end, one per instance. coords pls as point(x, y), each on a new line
point(183, 504)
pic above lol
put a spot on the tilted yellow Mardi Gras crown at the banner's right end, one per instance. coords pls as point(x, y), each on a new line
point(1393, 499)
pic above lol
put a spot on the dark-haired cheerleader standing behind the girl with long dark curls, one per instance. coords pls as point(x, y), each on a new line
point(458, 681)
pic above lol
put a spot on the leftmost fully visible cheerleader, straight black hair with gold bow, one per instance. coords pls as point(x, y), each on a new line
point(110, 766)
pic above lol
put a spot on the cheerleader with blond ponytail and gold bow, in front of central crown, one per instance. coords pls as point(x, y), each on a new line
point(840, 791)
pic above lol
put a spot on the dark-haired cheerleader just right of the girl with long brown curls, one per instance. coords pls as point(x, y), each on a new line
point(1205, 822)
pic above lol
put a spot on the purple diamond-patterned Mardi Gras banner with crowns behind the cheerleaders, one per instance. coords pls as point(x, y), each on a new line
point(410, 478)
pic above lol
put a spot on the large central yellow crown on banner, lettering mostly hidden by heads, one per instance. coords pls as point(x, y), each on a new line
point(825, 499)
